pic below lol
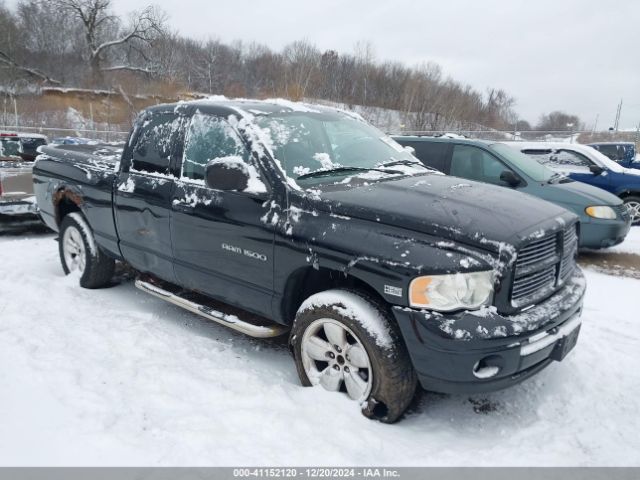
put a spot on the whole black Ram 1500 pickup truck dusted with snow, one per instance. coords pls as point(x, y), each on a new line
point(274, 217)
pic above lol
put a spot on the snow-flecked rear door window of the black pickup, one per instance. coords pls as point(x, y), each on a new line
point(154, 144)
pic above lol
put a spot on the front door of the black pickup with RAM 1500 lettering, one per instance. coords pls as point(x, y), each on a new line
point(221, 245)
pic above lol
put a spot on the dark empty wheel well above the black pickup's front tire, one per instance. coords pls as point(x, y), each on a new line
point(309, 281)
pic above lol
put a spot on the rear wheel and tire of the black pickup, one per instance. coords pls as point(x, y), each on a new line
point(79, 252)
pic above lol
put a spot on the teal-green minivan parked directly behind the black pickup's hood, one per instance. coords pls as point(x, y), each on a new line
point(604, 220)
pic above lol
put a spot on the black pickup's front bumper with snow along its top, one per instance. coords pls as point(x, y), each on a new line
point(485, 351)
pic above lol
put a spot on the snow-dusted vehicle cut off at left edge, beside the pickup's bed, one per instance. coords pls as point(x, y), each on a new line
point(17, 152)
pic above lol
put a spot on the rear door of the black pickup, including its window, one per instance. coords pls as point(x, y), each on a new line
point(142, 199)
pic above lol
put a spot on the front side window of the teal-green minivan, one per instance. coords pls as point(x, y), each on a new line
point(475, 164)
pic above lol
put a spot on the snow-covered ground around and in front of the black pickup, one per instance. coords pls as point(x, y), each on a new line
point(116, 377)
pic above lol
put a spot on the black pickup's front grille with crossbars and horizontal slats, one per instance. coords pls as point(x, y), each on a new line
point(543, 265)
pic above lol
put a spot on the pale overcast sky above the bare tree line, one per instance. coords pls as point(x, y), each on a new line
point(581, 56)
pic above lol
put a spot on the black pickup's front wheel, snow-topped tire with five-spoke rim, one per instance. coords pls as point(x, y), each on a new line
point(387, 381)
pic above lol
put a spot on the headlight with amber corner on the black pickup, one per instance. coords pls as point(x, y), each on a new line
point(458, 291)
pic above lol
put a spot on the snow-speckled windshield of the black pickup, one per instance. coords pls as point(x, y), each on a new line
point(325, 147)
